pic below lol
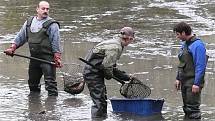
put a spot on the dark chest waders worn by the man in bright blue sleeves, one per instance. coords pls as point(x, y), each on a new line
point(186, 71)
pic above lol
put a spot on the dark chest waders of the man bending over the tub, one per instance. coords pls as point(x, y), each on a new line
point(96, 85)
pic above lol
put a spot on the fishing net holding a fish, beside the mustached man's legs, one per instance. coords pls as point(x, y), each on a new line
point(73, 78)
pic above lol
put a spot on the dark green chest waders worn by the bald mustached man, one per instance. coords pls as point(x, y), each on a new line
point(40, 47)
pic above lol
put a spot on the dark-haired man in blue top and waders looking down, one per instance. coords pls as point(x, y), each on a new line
point(191, 70)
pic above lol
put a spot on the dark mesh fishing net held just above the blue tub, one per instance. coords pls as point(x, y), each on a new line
point(135, 89)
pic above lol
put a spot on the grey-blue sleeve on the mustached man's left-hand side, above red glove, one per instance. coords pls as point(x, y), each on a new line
point(21, 37)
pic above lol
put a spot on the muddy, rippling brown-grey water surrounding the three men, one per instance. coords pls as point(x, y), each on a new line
point(84, 23)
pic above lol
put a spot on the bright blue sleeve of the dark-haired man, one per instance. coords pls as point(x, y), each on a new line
point(199, 58)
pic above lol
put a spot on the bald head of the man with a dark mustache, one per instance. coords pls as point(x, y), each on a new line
point(43, 10)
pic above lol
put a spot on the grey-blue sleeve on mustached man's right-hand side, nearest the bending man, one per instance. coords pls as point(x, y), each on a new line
point(54, 37)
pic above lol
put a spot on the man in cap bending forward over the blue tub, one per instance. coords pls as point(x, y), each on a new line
point(105, 55)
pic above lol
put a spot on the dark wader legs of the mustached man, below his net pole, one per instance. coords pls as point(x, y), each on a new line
point(36, 71)
